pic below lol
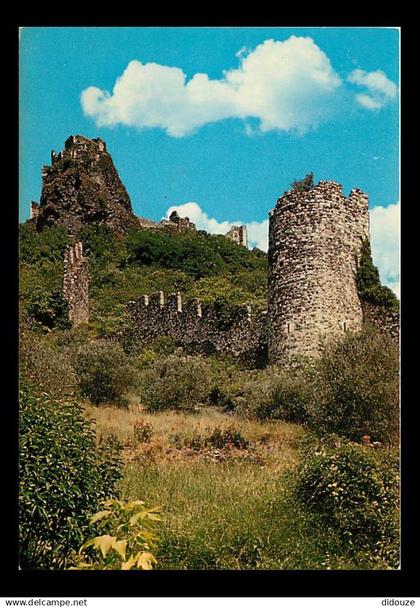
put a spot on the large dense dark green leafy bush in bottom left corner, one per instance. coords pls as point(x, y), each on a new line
point(63, 477)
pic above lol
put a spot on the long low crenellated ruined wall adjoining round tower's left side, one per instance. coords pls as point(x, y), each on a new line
point(199, 328)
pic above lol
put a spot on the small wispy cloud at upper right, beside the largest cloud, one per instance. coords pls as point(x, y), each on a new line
point(380, 89)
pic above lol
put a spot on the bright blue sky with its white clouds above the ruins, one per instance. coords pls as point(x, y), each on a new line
point(221, 119)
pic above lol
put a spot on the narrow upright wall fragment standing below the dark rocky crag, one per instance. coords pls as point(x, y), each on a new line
point(76, 284)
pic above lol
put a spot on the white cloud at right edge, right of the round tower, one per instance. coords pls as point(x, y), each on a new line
point(385, 242)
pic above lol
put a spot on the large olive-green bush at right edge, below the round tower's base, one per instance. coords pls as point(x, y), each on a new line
point(357, 388)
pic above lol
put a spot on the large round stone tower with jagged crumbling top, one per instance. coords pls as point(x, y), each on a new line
point(315, 238)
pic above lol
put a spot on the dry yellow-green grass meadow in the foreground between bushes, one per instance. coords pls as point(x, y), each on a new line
point(221, 508)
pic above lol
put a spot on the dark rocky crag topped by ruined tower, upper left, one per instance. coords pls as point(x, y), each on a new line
point(82, 186)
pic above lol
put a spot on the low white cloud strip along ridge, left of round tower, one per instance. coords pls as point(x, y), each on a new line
point(257, 231)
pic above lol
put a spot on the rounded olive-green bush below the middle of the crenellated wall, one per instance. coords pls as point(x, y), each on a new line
point(175, 382)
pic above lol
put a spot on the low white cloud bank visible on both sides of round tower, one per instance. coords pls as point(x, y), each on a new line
point(384, 230)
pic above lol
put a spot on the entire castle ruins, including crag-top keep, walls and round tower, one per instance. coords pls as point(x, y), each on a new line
point(315, 241)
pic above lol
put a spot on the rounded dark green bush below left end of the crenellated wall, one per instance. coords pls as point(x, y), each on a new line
point(104, 372)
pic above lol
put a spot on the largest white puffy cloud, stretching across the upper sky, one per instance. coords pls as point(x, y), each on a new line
point(286, 85)
